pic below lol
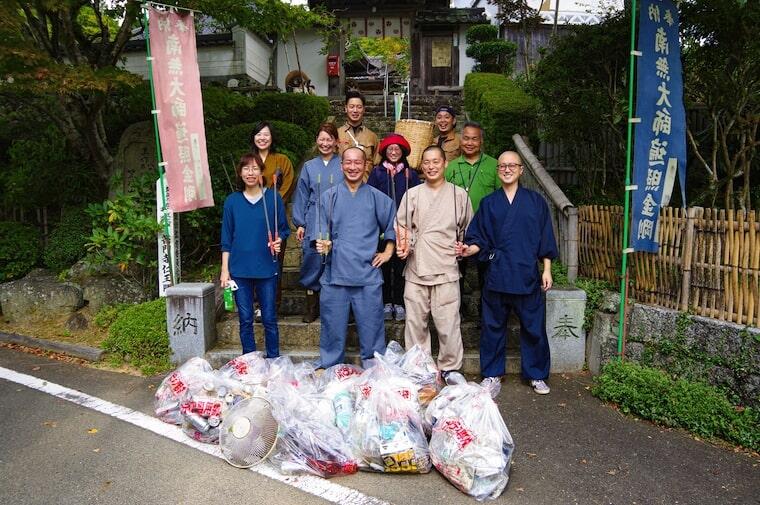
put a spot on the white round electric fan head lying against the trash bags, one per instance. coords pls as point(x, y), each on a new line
point(248, 432)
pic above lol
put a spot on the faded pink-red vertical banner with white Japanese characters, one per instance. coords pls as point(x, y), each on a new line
point(177, 86)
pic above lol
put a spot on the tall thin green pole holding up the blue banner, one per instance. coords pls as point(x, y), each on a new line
point(628, 188)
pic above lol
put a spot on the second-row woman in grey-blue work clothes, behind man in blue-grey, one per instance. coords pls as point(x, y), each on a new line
point(317, 176)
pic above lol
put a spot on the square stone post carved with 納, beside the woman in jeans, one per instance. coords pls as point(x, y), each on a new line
point(190, 319)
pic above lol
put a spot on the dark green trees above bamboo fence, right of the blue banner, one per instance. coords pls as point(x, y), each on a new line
point(721, 58)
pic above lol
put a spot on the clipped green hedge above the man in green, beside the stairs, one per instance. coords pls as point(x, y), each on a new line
point(502, 108)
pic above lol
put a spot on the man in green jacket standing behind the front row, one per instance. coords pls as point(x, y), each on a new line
point(476, 172)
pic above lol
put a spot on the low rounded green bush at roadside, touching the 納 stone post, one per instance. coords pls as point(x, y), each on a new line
point(139, 336)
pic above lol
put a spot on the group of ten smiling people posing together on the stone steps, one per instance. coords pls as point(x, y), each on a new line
point(381, 241)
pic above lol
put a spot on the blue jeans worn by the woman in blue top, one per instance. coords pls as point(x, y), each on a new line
point(266, 293)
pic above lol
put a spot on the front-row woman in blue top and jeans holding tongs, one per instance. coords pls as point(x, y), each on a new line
point(251, 241)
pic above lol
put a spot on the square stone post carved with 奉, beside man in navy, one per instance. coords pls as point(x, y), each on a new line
point(565, 308)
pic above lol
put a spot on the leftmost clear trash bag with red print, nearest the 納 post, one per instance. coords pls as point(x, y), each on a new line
point(186, 380)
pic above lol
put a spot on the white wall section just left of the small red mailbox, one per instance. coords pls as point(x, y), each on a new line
point(313, 63)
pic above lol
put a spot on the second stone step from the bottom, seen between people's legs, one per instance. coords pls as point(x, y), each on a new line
point(295, 334)
